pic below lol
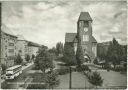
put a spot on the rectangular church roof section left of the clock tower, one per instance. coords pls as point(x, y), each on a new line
point(70, 37)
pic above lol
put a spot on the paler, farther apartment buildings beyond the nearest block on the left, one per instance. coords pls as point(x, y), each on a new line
point(25, 47)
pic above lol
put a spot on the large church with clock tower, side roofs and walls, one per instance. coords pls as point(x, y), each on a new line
point(88, 42)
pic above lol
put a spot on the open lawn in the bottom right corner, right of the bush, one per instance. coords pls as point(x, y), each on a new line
point(113, 79)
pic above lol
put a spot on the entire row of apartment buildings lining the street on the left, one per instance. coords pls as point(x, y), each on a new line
point(12, 45)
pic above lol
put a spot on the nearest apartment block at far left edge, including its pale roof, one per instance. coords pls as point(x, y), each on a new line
point(8, 46)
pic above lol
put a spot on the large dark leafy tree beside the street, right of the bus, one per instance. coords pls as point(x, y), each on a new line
point(43, 60)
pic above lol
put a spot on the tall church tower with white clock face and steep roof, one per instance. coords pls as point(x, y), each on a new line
point(84, 29)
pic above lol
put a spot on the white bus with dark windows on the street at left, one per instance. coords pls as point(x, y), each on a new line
point(13, 71)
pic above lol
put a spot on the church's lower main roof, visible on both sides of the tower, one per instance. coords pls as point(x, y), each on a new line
point(71, 37)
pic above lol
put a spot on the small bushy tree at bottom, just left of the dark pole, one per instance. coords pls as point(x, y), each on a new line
point(52, 79)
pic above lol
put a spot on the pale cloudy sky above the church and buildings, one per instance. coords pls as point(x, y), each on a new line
point(47, 22)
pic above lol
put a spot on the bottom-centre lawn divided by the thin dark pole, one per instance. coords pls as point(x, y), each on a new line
point(78, 81)
